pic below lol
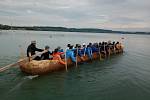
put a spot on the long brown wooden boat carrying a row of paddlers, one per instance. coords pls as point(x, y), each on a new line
point(46, 66)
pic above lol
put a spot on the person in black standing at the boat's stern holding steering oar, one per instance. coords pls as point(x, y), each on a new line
point(31, 51)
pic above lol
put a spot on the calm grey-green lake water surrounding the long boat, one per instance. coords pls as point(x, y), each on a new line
point(121, 77)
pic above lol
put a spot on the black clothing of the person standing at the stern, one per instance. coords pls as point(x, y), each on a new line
point(32, 48)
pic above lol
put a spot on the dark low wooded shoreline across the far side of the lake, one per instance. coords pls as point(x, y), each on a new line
point(64, 29)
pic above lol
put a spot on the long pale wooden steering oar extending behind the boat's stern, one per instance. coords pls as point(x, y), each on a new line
point(16, 63)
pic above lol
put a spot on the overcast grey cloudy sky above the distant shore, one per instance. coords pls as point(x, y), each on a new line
point(129, 15)
